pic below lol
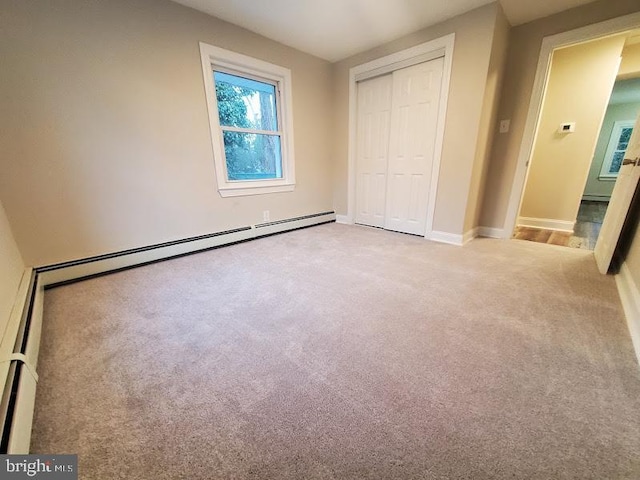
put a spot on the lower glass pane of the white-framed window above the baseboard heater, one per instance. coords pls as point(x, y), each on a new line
point(252, 156)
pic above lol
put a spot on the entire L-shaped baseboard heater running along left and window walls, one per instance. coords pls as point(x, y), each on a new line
point(20, 343)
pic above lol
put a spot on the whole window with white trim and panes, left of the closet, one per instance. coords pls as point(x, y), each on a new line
point(249, 104)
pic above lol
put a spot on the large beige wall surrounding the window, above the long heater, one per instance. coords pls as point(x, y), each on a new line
point(105, 134)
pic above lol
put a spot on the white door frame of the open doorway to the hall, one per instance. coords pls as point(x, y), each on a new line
point(549, 44)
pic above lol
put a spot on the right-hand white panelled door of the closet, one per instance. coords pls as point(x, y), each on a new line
point(414, 116)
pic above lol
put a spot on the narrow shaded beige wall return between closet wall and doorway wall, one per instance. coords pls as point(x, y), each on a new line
point(488, 121)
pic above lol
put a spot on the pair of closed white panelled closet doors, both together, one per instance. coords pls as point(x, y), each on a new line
point(396, 130)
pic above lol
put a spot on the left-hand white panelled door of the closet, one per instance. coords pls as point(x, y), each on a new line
point(374, 114)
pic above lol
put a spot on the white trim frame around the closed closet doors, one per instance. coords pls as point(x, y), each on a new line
point(440, 47)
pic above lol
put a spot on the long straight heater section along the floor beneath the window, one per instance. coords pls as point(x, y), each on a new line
point(70, 271)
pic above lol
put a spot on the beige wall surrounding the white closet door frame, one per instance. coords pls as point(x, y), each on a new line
point(473, 47)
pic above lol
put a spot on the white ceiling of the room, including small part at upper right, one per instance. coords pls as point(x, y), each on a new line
point(336, 29)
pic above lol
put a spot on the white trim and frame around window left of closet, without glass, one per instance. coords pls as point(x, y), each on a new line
point(212, 57)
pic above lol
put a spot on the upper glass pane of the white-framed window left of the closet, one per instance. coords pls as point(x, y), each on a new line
point(245, 103)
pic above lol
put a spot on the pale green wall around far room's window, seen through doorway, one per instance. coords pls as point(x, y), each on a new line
point(603, 188)
